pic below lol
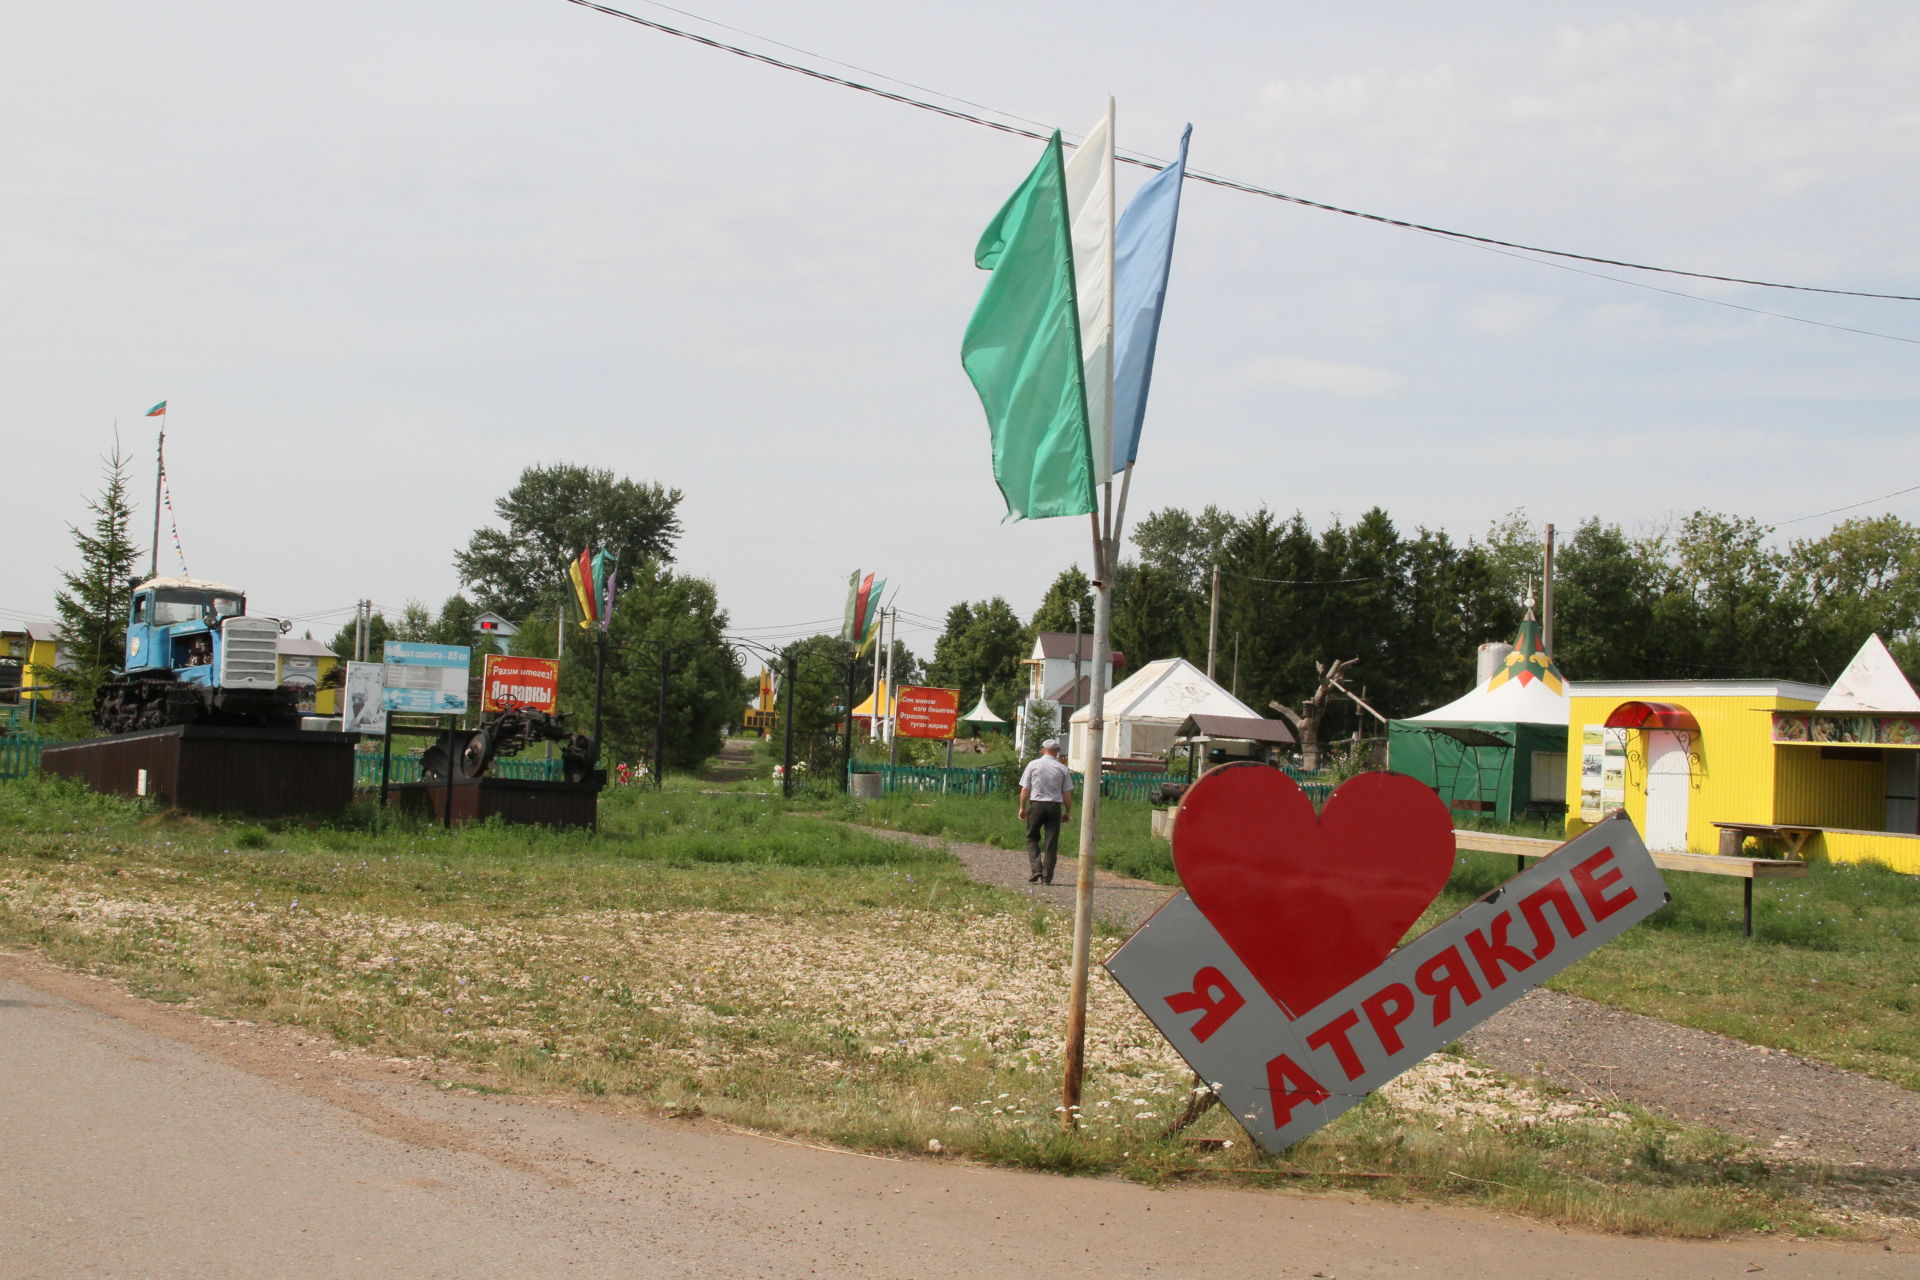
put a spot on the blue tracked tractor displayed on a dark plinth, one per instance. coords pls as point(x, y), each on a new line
point(197, 657)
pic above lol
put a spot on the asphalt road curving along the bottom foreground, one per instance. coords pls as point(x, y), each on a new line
point(145, 1141)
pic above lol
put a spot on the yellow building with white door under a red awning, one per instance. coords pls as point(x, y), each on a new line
point(1706, 765)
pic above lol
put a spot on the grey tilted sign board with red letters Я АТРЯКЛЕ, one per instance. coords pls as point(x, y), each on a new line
point(1287, 1078)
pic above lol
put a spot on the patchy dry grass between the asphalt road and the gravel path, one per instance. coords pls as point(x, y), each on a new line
point(723, 955)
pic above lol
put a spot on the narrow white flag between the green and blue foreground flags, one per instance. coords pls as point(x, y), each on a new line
point(1092, 212)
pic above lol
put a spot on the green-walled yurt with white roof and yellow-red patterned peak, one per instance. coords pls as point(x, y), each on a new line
point(1500, 749)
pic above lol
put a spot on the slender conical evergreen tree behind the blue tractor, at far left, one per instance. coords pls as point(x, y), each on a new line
point(93, 609)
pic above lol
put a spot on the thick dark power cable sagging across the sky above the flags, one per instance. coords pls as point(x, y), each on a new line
point(1197, 176)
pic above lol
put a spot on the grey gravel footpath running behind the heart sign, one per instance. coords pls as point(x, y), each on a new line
point(1788, 1104)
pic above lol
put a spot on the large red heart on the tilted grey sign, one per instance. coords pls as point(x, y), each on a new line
point(1310, 903)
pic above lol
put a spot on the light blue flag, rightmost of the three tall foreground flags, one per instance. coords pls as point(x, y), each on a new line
point(1143, 254)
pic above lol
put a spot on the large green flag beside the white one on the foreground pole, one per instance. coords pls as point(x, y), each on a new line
point(1022, 350)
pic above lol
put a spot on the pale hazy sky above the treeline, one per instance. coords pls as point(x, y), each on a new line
point(379, 258)
